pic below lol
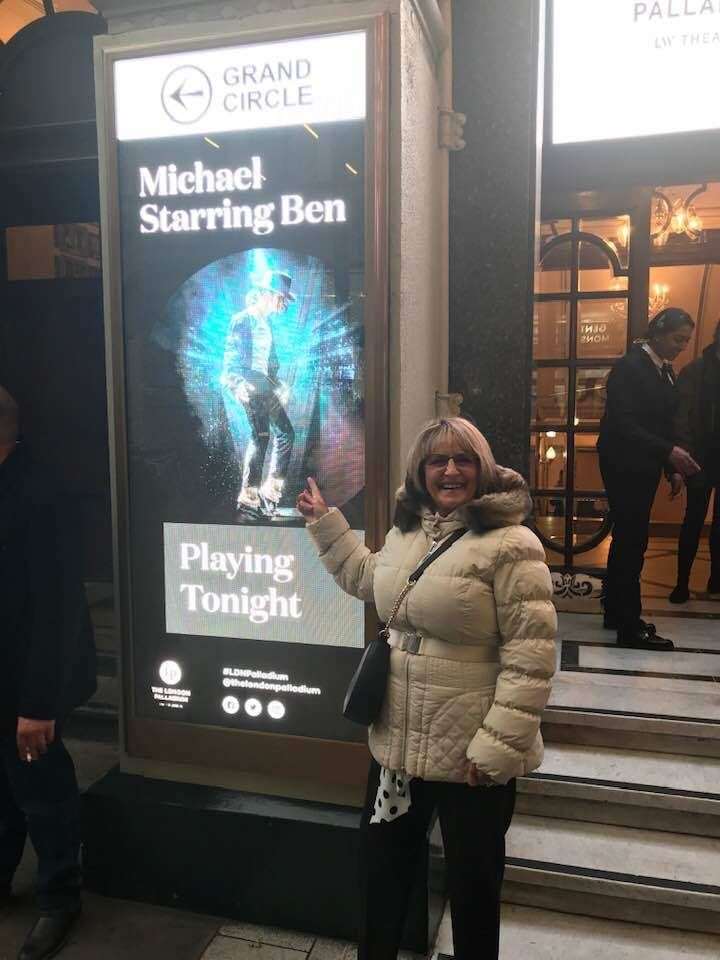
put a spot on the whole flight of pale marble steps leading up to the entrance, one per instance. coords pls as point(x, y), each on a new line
point(614, 850)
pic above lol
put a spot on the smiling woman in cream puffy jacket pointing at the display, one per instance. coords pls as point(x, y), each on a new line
point(473, 655)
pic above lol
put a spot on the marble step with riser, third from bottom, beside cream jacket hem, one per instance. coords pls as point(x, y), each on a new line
point(604, 785)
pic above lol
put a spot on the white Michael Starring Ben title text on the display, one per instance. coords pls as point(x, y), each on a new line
point(167, 181)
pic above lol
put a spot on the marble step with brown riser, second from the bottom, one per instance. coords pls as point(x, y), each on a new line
point(614, 872)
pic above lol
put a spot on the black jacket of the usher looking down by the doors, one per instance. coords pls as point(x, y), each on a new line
point(637, 432)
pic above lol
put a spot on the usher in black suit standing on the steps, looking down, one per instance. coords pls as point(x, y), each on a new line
point(636, 445)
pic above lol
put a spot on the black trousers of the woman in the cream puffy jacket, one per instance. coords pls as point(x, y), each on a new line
point(474, 821)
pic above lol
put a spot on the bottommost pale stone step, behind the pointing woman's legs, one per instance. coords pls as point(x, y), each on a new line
point(545, 935)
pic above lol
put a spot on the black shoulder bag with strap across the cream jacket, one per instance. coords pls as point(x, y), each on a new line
point(366, 692)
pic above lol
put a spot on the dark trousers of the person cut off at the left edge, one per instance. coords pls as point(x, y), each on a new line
point(41, 799)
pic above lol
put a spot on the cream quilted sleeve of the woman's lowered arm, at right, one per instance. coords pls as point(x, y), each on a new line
point(527, 624)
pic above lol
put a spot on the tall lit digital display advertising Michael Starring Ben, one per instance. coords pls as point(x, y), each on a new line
point(238, 202)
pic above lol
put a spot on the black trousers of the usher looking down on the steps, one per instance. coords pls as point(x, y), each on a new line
point(631, 497)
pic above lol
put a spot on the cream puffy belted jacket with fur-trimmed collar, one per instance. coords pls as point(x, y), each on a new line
point(480, 680)
